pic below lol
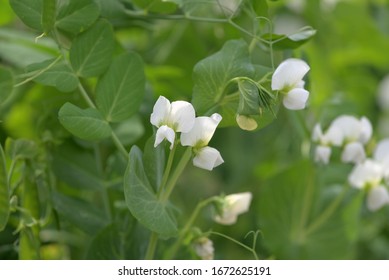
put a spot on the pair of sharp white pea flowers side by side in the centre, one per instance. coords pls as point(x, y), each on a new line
point(179, 116)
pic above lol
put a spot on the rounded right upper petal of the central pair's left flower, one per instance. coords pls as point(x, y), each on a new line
point(182, 116)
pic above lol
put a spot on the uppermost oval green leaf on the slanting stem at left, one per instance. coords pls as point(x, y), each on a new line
point(91, 51)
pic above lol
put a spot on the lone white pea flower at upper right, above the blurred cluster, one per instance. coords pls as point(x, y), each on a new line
point(288, 79)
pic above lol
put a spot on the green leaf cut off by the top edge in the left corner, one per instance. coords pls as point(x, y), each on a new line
point(30, 12)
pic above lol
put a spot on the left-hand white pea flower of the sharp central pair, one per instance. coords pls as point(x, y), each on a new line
point(178, 116)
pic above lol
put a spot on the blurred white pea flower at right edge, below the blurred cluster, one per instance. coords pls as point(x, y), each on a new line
point(369, 175)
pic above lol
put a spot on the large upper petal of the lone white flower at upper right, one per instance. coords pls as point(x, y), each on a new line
point(289, 74)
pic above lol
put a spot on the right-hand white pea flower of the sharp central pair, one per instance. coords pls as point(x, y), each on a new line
point(198, 138)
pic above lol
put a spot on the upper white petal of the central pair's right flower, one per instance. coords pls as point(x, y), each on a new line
point(202, 131)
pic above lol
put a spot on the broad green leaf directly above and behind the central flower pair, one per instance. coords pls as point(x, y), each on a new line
point(212, 76)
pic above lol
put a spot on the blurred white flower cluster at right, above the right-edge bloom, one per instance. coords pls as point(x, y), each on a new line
point(347, 132)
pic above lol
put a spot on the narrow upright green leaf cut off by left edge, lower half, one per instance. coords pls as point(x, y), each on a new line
point(4, 191)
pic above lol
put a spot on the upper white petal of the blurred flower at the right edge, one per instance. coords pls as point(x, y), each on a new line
point(368, 172)
